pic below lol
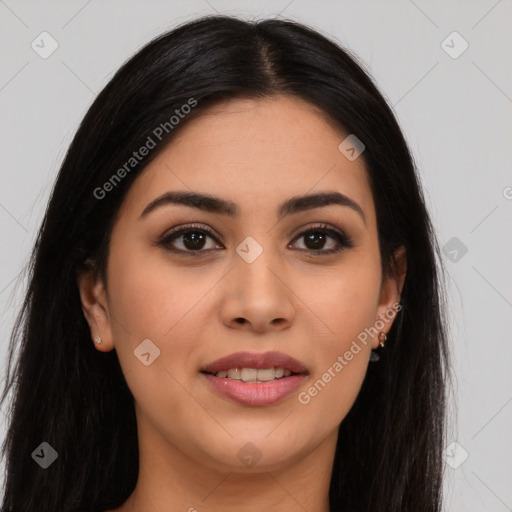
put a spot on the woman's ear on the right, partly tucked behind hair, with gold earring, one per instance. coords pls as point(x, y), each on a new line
point(391, 289)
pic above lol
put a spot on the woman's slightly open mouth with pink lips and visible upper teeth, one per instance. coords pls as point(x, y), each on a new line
point(255, 379)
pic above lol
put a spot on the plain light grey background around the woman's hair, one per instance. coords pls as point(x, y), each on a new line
point(455, 113)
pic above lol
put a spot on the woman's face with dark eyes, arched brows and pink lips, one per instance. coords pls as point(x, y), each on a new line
point(253, 276)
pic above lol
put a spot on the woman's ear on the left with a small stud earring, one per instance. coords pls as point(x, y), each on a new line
point(95, 308)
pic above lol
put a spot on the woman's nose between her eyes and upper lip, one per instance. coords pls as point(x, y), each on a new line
point(257, 296)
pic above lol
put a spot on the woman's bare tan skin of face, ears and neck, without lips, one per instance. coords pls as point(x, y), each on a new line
point(256, 153)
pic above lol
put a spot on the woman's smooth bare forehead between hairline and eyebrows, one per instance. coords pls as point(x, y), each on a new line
point(255, 152)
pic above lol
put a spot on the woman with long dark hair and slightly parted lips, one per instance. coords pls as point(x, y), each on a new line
point(234, 297)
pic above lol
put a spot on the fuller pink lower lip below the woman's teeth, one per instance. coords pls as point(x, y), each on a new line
point(256, 394)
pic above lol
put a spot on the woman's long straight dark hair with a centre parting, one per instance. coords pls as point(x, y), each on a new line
point(64, 392)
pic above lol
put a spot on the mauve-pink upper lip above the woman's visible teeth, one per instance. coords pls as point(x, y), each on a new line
point(257, 361)
